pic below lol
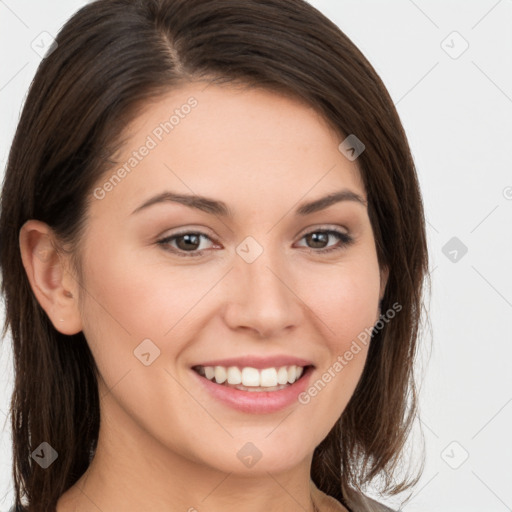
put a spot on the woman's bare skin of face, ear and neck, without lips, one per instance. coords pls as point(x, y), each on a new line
point(165, 444)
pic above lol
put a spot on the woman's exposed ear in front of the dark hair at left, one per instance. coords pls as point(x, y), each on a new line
point(47, 270)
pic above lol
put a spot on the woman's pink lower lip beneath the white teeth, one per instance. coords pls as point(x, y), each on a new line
point(257, 402)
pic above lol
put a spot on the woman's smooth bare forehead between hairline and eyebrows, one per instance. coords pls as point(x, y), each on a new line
point(229, 142)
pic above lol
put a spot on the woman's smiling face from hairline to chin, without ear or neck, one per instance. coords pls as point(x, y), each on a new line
point(203, 250)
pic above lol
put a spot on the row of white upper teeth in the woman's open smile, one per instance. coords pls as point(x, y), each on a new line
point(275, 378)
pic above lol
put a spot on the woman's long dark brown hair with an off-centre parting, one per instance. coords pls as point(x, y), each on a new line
point(111, 57)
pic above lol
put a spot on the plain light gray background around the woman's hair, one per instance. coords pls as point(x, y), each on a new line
point(457, 111)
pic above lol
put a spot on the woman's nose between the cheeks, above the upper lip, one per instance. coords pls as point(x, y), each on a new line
point(262, 296)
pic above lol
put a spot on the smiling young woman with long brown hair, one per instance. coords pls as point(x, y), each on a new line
point(213, 252)
